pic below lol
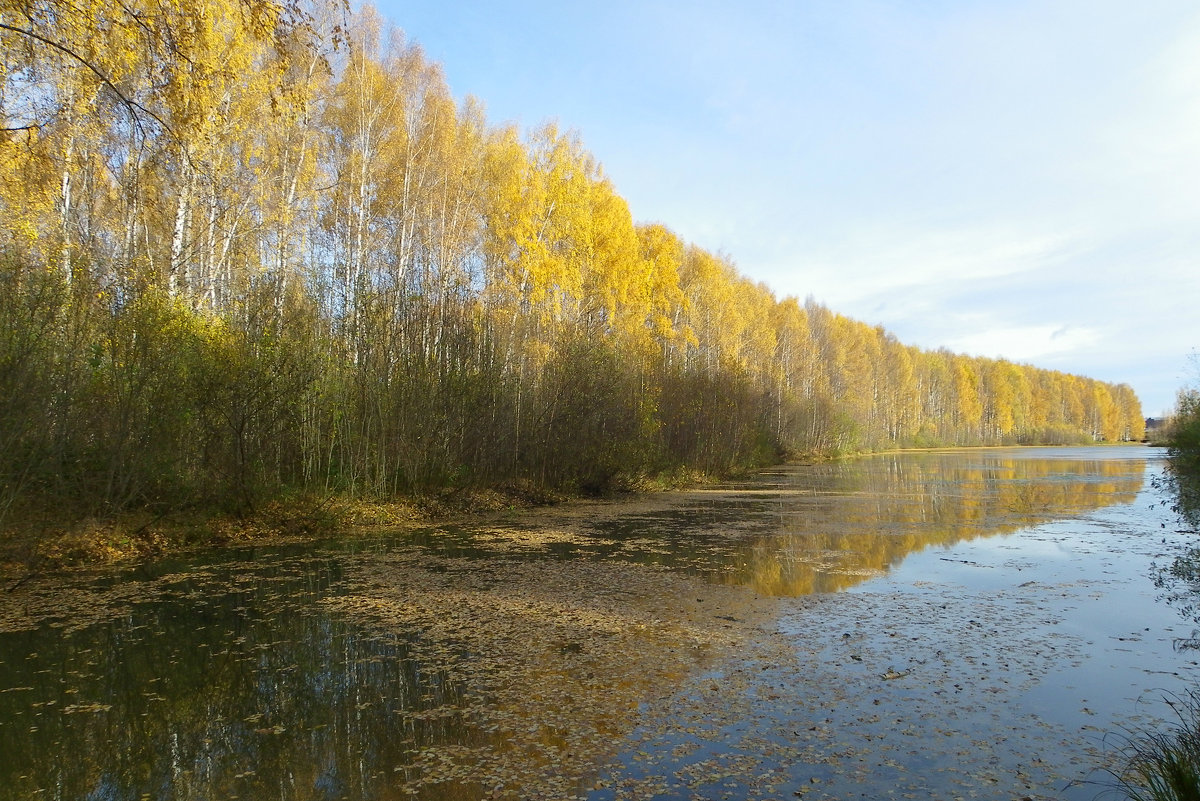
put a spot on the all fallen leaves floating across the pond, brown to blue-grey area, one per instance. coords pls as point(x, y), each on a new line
point(603, 679)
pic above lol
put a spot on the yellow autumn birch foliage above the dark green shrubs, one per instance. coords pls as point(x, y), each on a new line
point(249, 159)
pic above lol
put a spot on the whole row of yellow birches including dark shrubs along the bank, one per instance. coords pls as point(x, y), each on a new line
point(251, 249)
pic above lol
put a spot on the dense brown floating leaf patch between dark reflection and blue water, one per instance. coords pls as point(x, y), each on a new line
point(559, 659)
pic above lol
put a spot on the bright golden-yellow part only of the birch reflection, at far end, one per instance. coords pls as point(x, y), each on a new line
point(886, 508)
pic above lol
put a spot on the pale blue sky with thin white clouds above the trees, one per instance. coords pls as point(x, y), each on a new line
point(1015, 179)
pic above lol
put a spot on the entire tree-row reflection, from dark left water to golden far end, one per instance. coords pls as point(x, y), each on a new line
point(463, 663)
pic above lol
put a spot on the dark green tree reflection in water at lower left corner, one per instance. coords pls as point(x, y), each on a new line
point(251, 694)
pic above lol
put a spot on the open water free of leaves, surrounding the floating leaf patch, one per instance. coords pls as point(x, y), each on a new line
point(229, 676)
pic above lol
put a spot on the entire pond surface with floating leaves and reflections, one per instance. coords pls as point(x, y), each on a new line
point(921, 625)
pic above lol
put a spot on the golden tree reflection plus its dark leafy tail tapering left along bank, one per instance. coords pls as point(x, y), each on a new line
point(825, 528)
